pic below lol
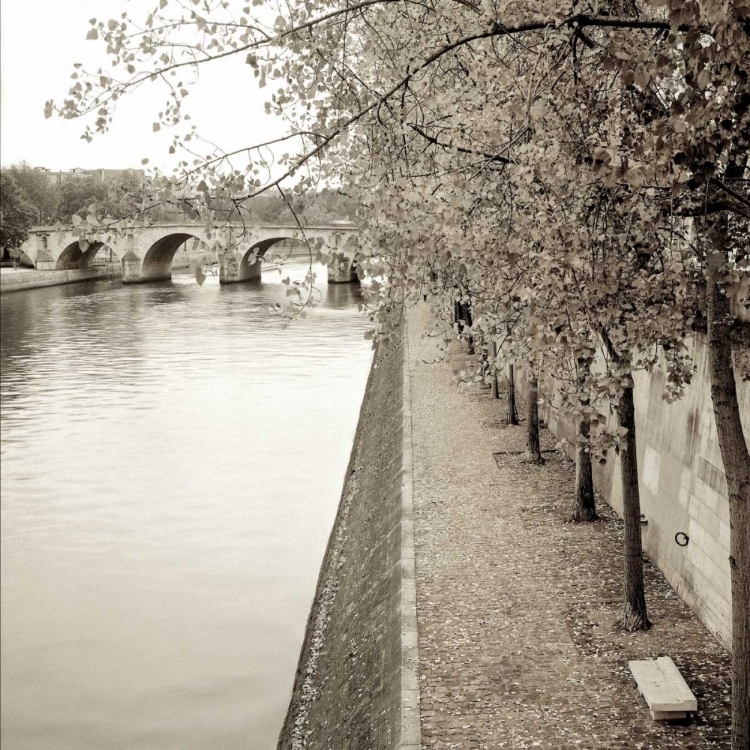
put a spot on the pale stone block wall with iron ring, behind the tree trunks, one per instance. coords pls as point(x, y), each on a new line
point(683, 488)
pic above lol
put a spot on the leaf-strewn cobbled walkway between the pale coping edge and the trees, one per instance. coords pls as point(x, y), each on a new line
point(516, 606)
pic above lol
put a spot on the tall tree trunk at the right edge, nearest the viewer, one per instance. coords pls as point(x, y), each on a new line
point(736, 458)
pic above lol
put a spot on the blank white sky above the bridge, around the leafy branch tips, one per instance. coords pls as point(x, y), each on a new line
point(40, 42)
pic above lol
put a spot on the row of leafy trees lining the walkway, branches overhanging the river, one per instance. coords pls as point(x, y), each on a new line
point(577, 170)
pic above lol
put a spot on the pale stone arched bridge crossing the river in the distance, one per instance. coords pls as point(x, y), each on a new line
point(146, 252)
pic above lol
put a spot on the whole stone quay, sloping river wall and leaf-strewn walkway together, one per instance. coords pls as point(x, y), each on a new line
point(515, 605)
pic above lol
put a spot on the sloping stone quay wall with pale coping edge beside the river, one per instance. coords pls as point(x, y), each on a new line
point(356, 683)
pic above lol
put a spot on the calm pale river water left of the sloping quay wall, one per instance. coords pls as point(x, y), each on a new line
point(172, 460)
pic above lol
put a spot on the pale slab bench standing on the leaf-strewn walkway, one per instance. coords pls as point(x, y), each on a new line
point(661, 684)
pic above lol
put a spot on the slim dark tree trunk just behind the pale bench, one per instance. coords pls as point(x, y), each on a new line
point(634, 616)
